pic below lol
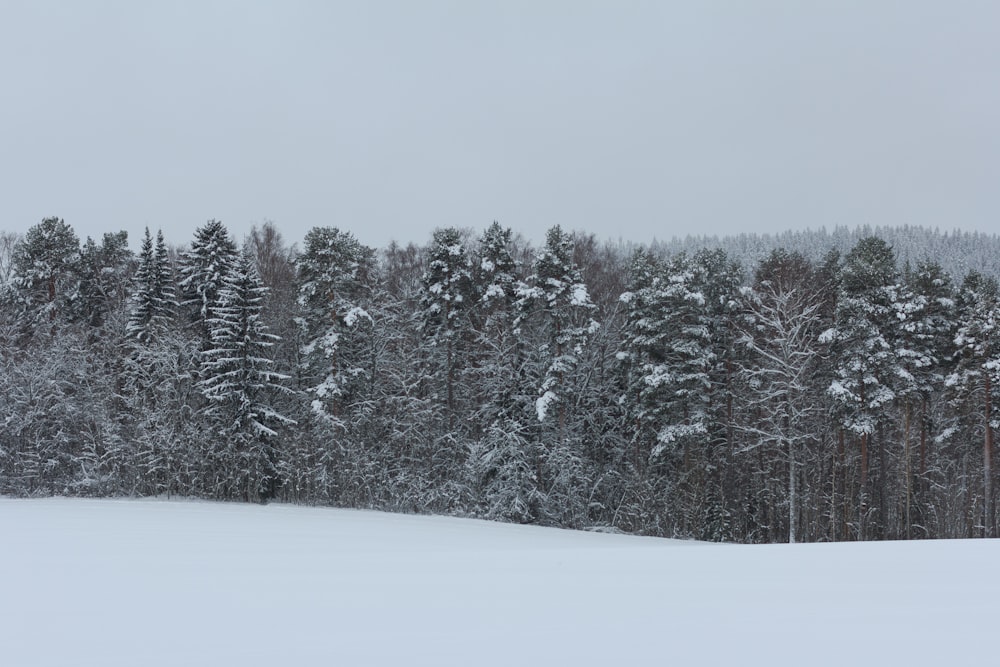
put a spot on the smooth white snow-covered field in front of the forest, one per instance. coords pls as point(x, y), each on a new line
point(189, 583)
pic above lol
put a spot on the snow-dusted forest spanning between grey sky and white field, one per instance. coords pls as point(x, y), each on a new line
point(809, 386)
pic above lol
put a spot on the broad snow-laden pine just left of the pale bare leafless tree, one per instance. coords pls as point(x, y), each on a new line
point(671, 356)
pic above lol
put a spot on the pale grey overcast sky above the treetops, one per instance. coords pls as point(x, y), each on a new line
point(388, 119)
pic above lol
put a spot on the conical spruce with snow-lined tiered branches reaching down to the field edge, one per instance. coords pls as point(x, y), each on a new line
point(238, 381)
